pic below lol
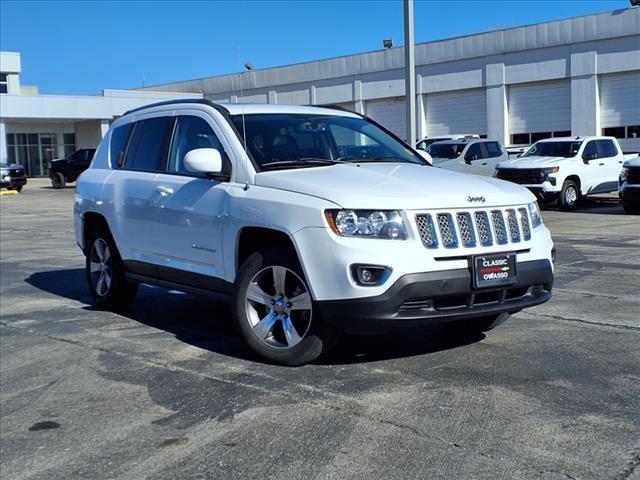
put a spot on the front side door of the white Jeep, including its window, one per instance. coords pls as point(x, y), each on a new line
point(188, 207)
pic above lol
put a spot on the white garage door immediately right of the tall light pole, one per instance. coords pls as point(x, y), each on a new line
point(464, 111)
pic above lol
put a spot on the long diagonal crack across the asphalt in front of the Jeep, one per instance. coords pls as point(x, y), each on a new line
point(344, 408)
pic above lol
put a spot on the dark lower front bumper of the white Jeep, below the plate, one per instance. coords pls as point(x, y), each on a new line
point(441, 296)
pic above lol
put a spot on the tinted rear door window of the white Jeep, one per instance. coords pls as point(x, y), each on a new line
point(148, 145)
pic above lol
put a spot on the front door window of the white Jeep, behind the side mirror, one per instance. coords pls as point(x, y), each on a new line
point(191, 133)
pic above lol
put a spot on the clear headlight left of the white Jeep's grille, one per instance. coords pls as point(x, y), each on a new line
point(385, 224)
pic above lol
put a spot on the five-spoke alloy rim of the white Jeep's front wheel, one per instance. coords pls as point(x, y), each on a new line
point(278, 306)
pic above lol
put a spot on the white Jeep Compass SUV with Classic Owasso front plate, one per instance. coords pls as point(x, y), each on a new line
point(308, 220)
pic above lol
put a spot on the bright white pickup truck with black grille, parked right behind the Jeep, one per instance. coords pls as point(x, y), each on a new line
point(566, 168)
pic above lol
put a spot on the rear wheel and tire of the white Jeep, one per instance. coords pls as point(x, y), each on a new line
point(105, 273)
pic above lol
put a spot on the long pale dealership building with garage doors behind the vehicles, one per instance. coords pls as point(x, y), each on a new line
point(579, 76)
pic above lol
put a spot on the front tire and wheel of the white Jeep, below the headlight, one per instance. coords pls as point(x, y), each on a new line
point(274, 312)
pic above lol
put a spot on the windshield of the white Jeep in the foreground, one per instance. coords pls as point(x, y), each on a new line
point(286, 140)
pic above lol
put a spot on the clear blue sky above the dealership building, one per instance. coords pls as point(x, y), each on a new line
point(79, 48)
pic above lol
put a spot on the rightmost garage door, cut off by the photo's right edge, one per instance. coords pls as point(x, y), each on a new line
point(620, 108)
